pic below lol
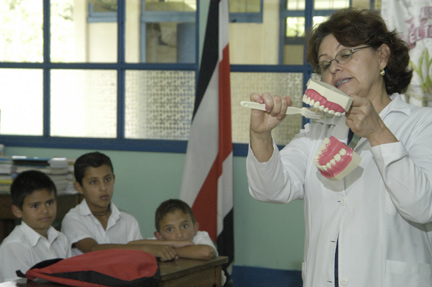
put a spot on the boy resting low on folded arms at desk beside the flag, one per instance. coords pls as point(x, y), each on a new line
point(176, 226)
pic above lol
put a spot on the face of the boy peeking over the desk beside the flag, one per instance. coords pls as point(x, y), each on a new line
point(177, 225)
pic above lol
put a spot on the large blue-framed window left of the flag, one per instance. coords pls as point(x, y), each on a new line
point(74, 83)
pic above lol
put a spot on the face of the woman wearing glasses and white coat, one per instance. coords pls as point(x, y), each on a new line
point(360, 76)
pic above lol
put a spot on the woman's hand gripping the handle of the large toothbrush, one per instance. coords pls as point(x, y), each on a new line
point(264, 122)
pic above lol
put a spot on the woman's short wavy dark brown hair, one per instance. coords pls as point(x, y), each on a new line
point(353, 27)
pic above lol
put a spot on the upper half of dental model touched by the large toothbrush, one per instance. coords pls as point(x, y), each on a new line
point(327, 98)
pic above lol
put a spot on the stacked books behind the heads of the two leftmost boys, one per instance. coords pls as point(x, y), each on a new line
point(59, 169)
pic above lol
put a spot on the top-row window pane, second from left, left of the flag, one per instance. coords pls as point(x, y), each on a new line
point(83, 31)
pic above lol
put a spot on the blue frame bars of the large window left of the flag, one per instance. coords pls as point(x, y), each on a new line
point(119, 142)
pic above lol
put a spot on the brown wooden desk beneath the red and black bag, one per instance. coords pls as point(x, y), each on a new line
point(179, 273)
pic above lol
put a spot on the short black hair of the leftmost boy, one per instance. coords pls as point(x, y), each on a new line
point(28, 182)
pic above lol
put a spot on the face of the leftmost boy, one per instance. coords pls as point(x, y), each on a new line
point(38, 211)
